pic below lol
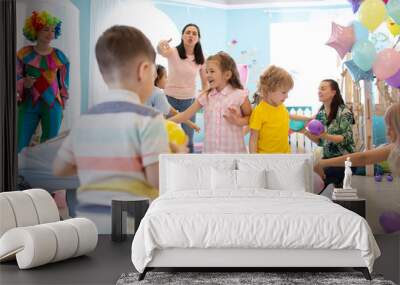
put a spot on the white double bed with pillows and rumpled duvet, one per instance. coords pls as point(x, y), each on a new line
point(247, 210)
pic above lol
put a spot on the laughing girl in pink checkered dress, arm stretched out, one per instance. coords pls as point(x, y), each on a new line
point(226, 107)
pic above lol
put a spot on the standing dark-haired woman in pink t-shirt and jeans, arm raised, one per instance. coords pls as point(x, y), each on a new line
point(184, 62)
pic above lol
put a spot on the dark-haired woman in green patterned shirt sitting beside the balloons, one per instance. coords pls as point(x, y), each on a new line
point(337, 139)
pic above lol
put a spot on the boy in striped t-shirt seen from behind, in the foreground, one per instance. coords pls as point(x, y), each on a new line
point(115, 145)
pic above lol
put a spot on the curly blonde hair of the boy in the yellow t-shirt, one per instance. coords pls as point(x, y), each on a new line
point(275, 77)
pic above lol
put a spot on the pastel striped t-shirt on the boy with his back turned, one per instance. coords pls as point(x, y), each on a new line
point(115, 140)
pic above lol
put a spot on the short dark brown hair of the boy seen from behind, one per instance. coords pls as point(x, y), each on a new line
point(119, 44)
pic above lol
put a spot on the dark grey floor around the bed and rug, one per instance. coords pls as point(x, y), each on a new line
point(110, 259)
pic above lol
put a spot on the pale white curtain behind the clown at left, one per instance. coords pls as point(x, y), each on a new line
point(68, 42)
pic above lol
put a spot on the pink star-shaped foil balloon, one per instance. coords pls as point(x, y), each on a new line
point(342, 39)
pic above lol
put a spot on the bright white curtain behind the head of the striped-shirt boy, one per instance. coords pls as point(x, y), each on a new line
point(141, 14)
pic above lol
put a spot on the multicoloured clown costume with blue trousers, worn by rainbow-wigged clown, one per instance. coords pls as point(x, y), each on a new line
point(45, 100)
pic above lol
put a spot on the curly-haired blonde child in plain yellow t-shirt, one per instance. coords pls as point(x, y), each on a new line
point(269, 121)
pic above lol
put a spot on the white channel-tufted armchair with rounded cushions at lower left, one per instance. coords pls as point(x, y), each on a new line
point(31, 231)
